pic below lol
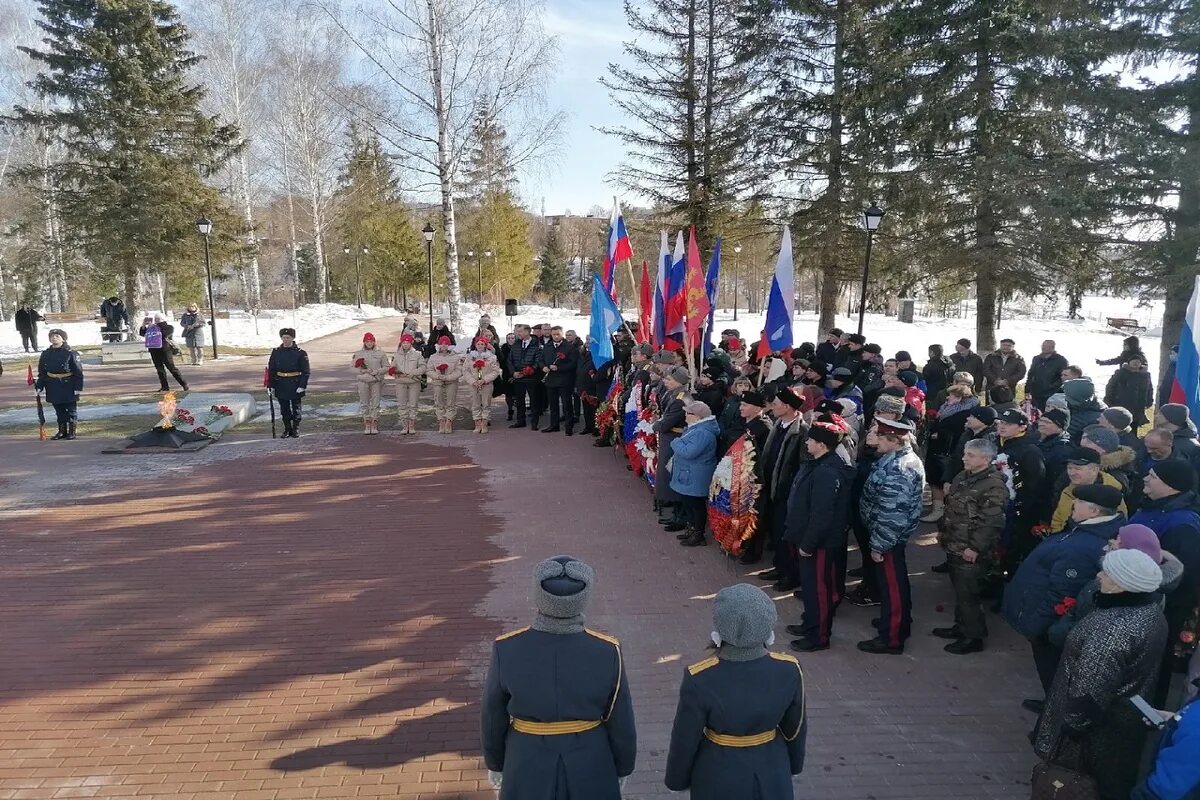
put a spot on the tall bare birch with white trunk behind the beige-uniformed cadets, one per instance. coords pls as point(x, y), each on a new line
point(436, 64)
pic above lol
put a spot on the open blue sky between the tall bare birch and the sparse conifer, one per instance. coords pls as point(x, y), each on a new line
point(590, 37)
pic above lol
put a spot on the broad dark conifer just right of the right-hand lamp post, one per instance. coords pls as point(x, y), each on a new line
point(980, 139)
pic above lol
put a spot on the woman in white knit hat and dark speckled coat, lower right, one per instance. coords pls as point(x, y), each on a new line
point(1112, 654)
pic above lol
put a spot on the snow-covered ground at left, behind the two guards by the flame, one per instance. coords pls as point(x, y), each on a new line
point(241, 330)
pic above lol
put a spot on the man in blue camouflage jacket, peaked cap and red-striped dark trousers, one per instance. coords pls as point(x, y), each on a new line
point(891, 507)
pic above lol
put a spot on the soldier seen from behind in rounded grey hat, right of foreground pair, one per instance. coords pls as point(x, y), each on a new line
point(740, 729)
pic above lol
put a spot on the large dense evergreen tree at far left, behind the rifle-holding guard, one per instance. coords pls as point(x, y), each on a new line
point(136, 143)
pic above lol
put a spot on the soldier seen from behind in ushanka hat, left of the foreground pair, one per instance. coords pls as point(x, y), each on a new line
point(557, 715)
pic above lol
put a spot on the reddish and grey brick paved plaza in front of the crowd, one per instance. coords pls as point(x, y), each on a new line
point(313, 619)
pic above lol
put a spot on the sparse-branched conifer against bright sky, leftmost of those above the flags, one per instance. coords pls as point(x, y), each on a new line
point(688, 91)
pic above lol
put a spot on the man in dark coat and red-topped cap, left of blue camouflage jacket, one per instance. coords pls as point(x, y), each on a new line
point(818, 516)
